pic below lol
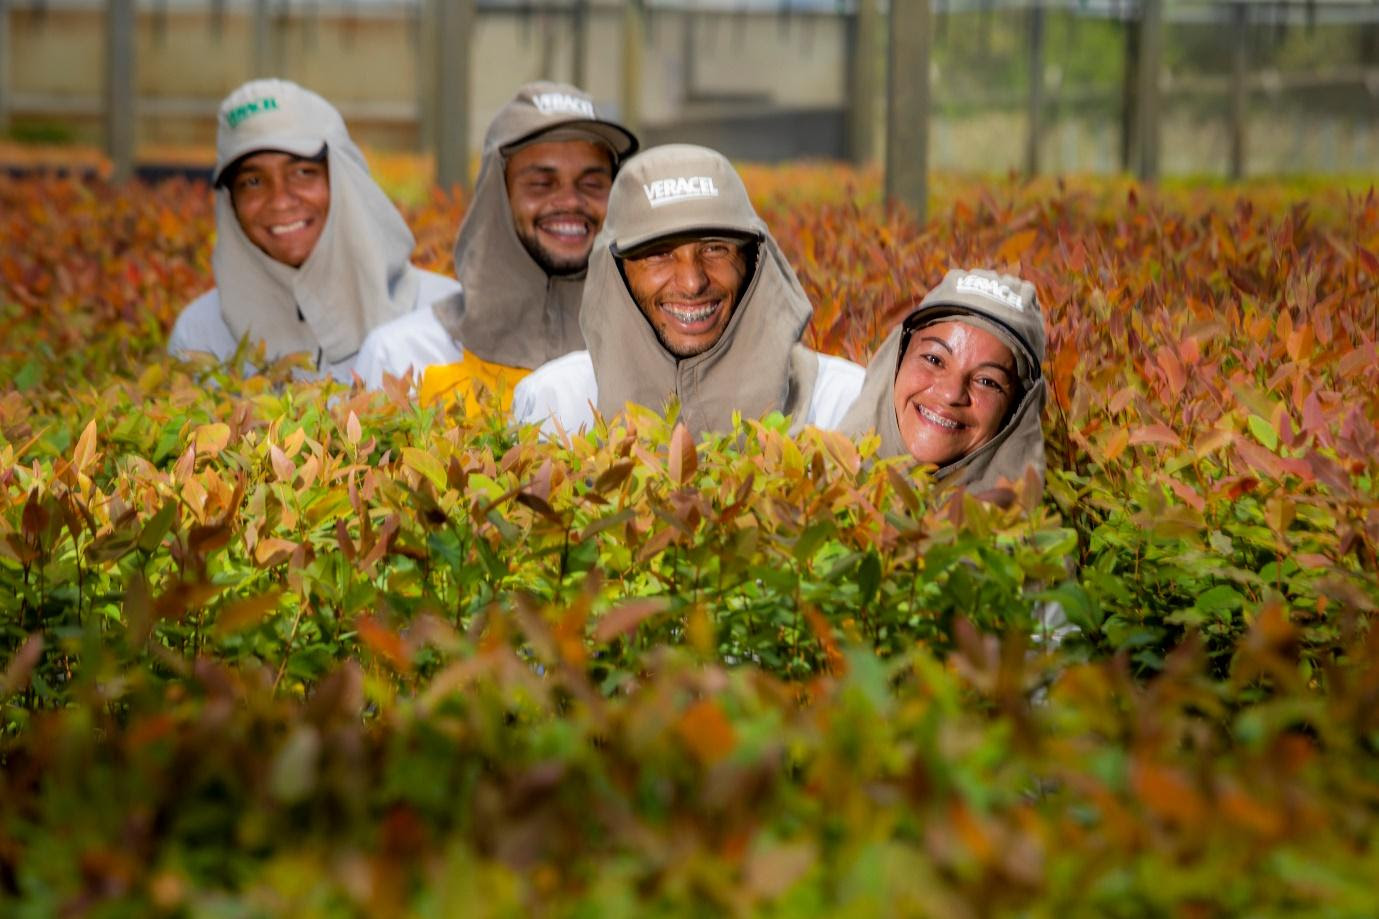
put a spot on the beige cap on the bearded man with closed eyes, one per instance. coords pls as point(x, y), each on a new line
point(547, 111)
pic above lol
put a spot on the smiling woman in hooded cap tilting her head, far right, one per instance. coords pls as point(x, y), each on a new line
point(959, 386)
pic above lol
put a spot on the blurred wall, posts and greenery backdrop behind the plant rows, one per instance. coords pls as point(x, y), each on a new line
point(1181, 88)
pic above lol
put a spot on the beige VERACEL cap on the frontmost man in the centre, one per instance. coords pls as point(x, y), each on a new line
point(674, 191)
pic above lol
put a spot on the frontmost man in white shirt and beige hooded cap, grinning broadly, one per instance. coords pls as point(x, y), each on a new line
point(692, 300)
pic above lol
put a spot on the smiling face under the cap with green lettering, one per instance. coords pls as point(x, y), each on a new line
point(282, 202)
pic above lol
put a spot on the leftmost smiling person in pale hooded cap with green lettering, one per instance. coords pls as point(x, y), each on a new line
point(310, 253)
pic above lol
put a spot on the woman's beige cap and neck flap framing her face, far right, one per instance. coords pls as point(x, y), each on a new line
point(1003, 306)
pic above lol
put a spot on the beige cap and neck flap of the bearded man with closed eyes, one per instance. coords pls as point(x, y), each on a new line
point(511, 313)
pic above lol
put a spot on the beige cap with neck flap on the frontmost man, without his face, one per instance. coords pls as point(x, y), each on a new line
point(756, 366)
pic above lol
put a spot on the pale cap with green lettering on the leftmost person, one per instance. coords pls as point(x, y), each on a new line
point(274, 115)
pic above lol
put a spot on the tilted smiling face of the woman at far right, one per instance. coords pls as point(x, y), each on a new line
point(954, 390)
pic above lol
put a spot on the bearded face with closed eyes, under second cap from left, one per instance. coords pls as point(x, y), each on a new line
point(559, 195)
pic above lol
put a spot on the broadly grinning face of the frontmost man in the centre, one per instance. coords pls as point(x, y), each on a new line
point(687, 290)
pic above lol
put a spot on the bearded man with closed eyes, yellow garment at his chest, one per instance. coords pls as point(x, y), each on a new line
point(541, 198)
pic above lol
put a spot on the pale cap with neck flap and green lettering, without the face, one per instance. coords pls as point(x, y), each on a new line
point(358, 277)
